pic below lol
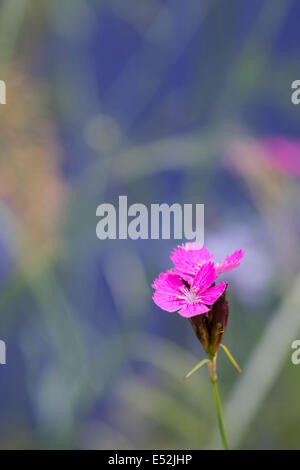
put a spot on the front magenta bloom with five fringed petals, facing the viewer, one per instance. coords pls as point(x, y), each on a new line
point(173, 293)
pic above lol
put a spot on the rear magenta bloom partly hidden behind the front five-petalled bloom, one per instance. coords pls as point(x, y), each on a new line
point(188, 259)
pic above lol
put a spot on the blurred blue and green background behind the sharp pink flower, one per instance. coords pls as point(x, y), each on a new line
point(163, 101)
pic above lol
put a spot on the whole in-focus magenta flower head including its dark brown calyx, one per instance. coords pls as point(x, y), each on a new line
point(189, 289)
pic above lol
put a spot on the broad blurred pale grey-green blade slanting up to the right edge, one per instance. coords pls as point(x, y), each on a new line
point(263, 368)
